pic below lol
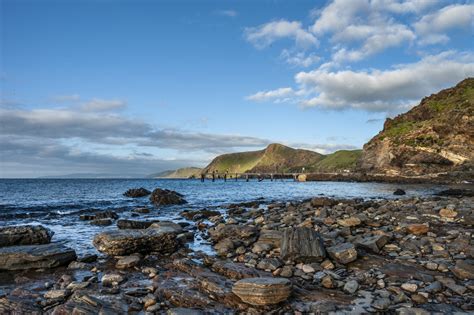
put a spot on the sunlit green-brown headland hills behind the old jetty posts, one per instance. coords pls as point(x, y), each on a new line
point(279, 158)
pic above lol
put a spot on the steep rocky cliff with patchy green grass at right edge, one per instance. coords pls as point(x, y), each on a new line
point(435, 136)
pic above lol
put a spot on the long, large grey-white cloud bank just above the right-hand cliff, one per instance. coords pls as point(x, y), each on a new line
point(391, 90)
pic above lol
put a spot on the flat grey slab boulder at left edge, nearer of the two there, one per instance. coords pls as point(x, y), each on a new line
point(35, 256)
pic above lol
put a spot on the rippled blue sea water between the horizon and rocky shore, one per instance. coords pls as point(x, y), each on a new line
point(58, 203)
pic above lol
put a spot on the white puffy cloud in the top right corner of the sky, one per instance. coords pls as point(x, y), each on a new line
point(432, 27)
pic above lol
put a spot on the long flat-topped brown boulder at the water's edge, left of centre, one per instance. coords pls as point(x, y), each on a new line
point(126, 242)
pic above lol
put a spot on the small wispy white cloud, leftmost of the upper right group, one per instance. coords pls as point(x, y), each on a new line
point(265, 34)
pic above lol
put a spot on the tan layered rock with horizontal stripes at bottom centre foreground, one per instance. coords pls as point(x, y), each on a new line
point(262, 291)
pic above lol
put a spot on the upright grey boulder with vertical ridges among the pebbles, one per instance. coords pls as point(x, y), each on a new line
point(302, 245)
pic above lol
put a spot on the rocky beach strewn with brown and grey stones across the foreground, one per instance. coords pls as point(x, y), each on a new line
point(411, 255)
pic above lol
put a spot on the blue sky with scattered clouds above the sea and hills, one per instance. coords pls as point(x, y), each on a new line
point(135, 87)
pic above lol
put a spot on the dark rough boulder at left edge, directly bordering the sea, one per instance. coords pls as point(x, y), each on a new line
point(25, 235)
